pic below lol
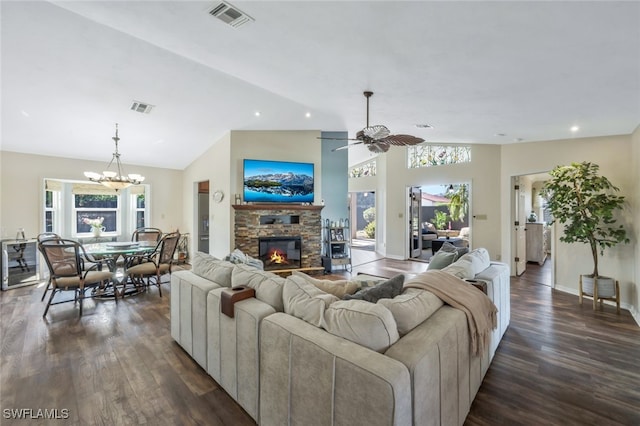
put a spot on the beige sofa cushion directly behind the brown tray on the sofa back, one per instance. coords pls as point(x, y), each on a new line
point(268, 286)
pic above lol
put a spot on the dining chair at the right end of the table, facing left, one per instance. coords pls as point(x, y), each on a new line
point(148, 268)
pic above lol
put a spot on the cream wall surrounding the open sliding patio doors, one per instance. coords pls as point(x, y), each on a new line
point(393, 178)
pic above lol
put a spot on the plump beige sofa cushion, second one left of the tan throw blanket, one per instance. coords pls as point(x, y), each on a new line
point(368, 324)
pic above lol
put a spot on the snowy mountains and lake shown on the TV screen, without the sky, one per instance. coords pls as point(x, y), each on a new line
point(280, 186)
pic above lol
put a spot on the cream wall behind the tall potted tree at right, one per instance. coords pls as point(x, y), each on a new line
point(612, 154)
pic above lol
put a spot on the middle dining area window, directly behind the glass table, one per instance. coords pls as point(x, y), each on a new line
point(92, 206)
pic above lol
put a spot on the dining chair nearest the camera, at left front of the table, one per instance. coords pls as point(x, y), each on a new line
point(66, 262)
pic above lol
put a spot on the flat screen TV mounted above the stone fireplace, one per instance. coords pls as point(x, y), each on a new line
point(268, 181)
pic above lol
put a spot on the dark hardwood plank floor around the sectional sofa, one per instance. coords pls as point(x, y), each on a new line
point(559, 363)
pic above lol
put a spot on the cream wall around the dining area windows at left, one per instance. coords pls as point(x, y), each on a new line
point(22, 181)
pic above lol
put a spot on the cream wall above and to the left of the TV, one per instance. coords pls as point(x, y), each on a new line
point(222, 166)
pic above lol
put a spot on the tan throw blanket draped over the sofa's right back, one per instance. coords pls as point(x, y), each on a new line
point(480, 311)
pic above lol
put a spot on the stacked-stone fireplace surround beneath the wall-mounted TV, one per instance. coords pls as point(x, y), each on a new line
point(259, 223)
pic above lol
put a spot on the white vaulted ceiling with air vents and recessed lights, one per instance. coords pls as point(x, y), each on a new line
point(478, 72)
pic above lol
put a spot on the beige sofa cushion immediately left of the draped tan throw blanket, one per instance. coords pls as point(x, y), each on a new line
point(412, 308)
